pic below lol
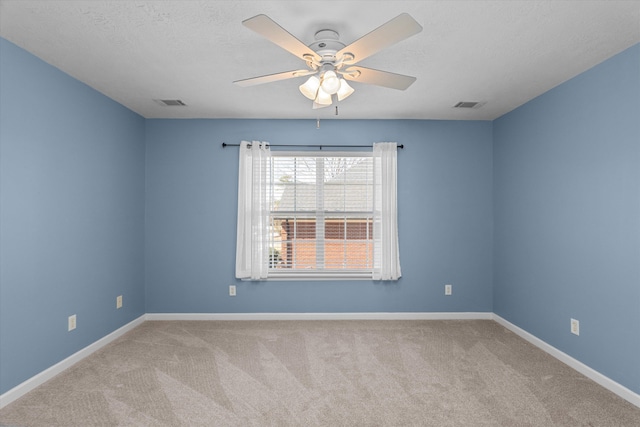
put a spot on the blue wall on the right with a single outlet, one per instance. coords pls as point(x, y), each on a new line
point(567, 217)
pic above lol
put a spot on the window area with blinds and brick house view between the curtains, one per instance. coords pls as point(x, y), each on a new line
point(321, 214)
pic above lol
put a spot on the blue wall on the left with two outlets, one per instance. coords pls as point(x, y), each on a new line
point(71, 215)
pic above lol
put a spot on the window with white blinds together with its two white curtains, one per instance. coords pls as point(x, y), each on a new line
point(317, 215)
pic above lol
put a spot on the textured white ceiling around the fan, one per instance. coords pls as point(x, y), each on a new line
point(500, 53)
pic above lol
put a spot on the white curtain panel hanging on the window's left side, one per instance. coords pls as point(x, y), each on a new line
point(252, 248)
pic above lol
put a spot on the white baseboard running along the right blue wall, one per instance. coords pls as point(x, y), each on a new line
point(585, 370)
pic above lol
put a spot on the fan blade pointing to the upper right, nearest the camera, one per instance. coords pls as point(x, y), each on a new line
point(399, 28)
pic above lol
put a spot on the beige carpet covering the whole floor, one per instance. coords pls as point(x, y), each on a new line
point(320, 373)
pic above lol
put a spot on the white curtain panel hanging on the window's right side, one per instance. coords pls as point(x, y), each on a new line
point(386, 255)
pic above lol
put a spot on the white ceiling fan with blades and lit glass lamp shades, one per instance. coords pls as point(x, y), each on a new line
point(330, 63)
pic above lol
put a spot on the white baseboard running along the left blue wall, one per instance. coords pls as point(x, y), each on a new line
point(39, 379)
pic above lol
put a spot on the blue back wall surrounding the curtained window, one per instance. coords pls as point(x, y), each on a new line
point(444, 204)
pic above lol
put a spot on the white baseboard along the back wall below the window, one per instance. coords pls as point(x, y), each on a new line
point(321, 316)
